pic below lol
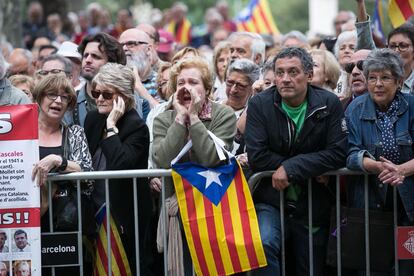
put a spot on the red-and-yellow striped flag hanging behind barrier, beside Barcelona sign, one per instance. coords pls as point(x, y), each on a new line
point(119, 260)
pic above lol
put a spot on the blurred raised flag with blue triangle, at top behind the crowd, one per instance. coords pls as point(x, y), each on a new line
point(257, 18)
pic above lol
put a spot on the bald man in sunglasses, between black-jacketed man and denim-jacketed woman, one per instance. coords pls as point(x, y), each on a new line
point(357, 81)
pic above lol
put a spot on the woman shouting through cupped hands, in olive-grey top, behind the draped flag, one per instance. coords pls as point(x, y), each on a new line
point(189, 117)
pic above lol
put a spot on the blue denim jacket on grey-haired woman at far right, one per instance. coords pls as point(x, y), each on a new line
point(363, 138)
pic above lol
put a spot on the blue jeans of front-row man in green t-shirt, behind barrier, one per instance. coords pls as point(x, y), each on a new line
point(297, 236)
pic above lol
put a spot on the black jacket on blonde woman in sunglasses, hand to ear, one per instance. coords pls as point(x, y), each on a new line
point(126, 151)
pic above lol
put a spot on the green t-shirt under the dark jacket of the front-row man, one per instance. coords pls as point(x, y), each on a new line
point(297, 115)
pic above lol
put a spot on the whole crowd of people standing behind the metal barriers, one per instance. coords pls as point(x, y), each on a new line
point(124, 96)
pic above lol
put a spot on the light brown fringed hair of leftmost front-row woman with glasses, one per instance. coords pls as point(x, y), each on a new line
point(54, 83)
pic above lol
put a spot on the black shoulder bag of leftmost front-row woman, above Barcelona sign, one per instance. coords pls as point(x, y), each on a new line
point(65, 202)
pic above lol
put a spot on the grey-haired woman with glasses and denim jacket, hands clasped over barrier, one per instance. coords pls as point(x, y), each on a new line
point(381, 135)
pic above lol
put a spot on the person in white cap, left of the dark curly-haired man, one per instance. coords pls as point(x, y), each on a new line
point(70, 50)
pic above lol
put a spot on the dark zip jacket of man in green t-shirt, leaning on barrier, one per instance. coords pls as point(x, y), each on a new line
point(320, 147)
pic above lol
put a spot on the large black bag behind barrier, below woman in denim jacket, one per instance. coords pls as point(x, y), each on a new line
point(381, 239)
